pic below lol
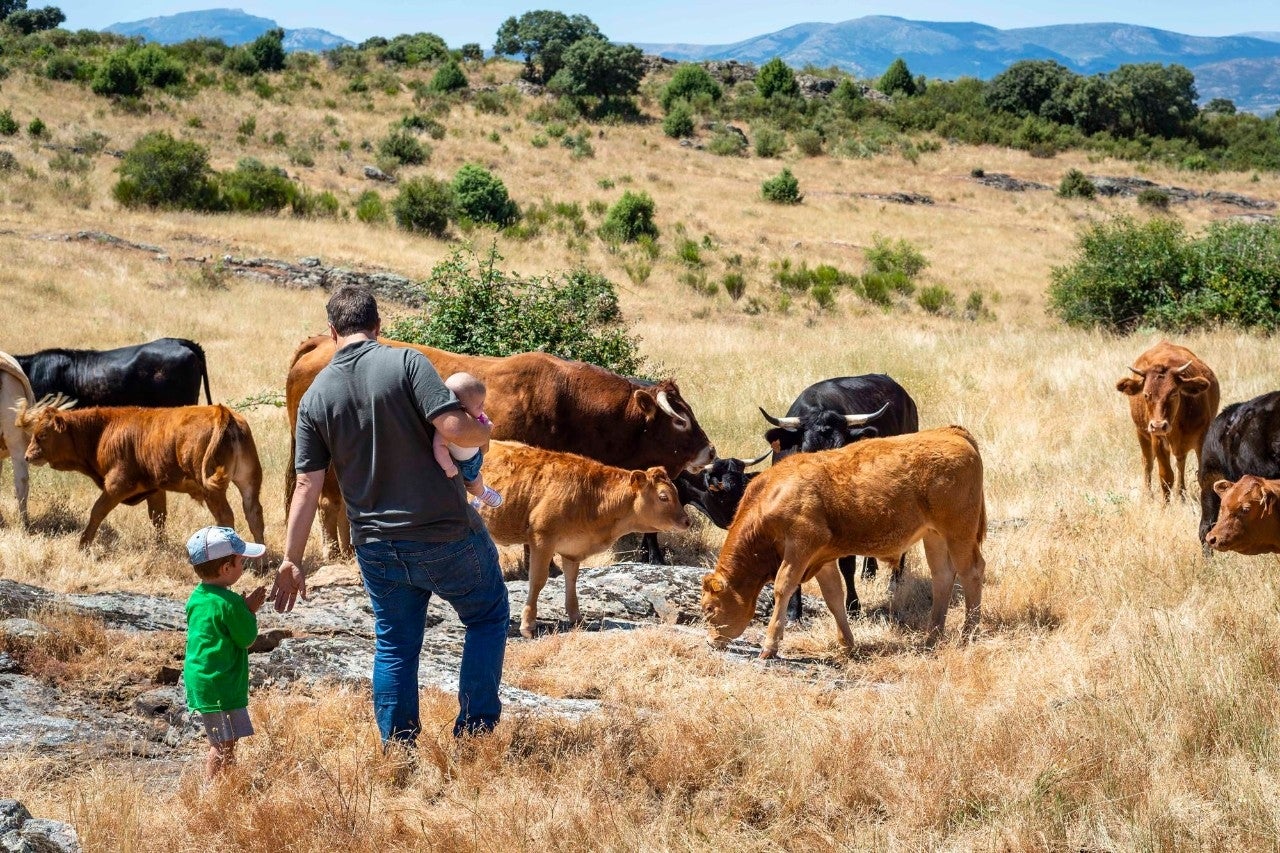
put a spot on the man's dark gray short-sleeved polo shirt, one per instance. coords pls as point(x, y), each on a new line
point(369, 414)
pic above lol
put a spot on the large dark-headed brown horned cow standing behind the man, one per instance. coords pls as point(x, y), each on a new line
point(543, 402)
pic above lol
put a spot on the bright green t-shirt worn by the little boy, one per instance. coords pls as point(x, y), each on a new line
point(221, 628)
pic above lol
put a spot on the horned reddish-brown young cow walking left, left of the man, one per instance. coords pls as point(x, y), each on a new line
point(138, 455)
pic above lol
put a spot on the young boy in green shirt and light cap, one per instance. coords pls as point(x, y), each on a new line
point(221, 628)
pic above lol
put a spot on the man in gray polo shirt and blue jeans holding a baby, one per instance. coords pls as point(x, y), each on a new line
point(372, 414)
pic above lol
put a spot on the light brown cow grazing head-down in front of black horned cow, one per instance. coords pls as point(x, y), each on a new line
point(876, 498)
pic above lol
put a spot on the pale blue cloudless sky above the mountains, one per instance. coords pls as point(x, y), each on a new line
point(674, 21)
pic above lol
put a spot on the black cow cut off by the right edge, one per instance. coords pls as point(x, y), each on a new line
point(1245, 439)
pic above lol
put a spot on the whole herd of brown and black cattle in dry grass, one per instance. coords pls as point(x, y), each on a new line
point(584, 457)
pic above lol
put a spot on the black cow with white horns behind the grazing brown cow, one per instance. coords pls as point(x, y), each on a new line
point(835, 413)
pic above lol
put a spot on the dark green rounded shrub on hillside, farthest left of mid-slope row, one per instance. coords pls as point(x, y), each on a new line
point(163, 172)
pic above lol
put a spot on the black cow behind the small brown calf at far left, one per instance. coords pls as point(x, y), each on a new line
point(162, 373)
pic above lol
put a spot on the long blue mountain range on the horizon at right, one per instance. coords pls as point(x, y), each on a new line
point(1246, 69)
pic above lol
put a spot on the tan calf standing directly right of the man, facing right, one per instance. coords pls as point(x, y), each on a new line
point(573, 507)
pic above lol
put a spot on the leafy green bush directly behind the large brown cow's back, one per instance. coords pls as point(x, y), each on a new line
point(476, 308)
